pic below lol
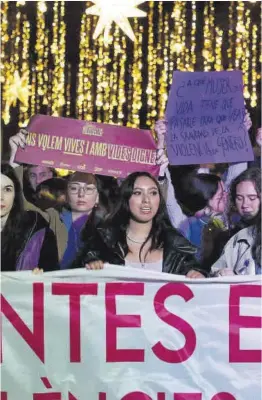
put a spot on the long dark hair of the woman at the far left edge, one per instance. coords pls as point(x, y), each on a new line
point(12, 234)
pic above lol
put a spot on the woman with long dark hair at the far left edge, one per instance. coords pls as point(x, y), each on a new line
point(26, 241)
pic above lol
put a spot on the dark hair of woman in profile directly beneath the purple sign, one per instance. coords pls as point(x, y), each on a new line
point(197, 189)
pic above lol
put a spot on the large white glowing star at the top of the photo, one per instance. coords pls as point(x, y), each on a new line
point(117, 11)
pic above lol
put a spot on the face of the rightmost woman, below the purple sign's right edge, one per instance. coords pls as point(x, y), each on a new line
point(247, 199)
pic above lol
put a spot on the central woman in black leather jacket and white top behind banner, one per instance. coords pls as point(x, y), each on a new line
point(138, 234)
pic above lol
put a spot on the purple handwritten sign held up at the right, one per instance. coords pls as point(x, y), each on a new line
point(205, 114)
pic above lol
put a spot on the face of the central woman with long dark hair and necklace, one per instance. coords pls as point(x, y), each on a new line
point(145, 200)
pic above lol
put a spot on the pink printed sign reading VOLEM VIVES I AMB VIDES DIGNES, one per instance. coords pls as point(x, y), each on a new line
point(87, 146)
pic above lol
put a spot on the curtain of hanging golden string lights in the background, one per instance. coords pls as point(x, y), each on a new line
point(118, 80)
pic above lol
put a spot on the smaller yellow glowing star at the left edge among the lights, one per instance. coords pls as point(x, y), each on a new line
point(16, 89)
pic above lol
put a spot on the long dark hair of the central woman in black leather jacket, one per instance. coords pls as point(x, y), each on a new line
point(119, 219)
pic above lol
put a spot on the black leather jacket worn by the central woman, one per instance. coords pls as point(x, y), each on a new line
point(178, 257)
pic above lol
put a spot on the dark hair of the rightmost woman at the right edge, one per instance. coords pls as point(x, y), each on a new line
point(249, 175)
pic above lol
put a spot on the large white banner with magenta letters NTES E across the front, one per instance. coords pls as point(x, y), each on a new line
point(123, 334)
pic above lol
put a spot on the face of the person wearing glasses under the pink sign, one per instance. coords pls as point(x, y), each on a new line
point(82, 197)
